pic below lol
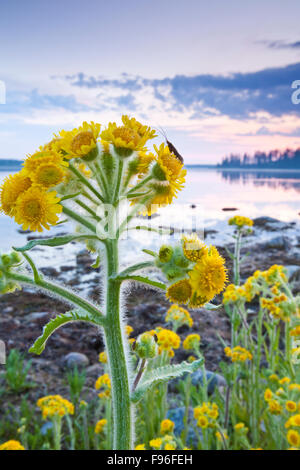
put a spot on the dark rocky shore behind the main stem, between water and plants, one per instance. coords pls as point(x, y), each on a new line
point(23, 314)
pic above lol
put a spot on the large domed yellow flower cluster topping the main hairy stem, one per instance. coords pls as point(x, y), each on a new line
point(58, 171)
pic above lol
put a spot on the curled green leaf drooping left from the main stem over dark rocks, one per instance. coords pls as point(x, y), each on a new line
point(40, 343)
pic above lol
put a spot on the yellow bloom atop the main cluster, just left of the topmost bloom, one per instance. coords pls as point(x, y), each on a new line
point(81, 141)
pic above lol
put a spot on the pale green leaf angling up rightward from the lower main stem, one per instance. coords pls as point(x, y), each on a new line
point(163, 374)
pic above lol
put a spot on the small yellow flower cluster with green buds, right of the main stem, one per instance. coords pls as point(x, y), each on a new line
point(196, 272)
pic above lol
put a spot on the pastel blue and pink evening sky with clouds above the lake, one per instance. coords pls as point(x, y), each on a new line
point(216, 76)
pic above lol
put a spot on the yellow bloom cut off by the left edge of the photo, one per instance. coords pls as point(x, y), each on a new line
point(12, 187)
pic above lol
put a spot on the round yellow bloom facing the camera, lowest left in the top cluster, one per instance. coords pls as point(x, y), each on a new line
point(36, 209)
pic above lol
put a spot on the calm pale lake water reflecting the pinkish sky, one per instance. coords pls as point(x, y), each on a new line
point(253, 193)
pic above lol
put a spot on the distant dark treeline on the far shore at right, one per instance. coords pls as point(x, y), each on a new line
point(286, 159)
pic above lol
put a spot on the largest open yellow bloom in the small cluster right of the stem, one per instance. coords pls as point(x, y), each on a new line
point(209, 275)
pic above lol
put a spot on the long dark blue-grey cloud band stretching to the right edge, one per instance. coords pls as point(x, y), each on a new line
point(238, 95)
